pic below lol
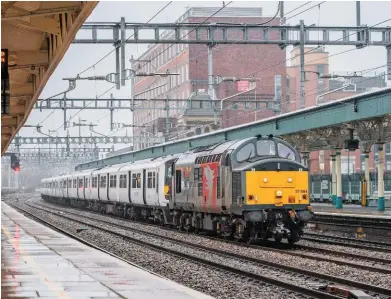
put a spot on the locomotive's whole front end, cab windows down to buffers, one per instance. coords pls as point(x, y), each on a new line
point(273, 199)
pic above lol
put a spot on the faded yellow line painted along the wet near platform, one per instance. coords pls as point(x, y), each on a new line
point(41, 273)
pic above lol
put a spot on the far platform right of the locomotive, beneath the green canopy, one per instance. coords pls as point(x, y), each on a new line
point(350, 210)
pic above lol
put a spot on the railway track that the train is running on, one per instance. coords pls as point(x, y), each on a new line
point(284, 248)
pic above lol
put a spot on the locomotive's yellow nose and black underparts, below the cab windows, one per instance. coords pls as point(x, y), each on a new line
point(276, 201)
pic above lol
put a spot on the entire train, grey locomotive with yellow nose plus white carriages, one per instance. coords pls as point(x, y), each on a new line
point(250, 189)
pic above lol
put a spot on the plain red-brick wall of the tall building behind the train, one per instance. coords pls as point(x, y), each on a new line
point(239, 61)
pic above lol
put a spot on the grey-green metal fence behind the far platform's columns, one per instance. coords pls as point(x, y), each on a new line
point(320, 186)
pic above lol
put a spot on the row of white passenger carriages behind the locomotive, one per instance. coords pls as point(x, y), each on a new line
point(136, 188)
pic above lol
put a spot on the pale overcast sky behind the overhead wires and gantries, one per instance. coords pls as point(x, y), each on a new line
point(80, 57)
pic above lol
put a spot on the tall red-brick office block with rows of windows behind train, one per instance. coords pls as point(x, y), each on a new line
point(190, 61)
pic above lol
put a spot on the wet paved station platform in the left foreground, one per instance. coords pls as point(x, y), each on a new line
point(40, 262)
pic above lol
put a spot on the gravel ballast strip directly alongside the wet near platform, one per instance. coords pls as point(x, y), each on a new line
point(204, 279)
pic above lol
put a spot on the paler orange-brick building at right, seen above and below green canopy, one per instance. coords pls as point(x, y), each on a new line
point(317, 62)
